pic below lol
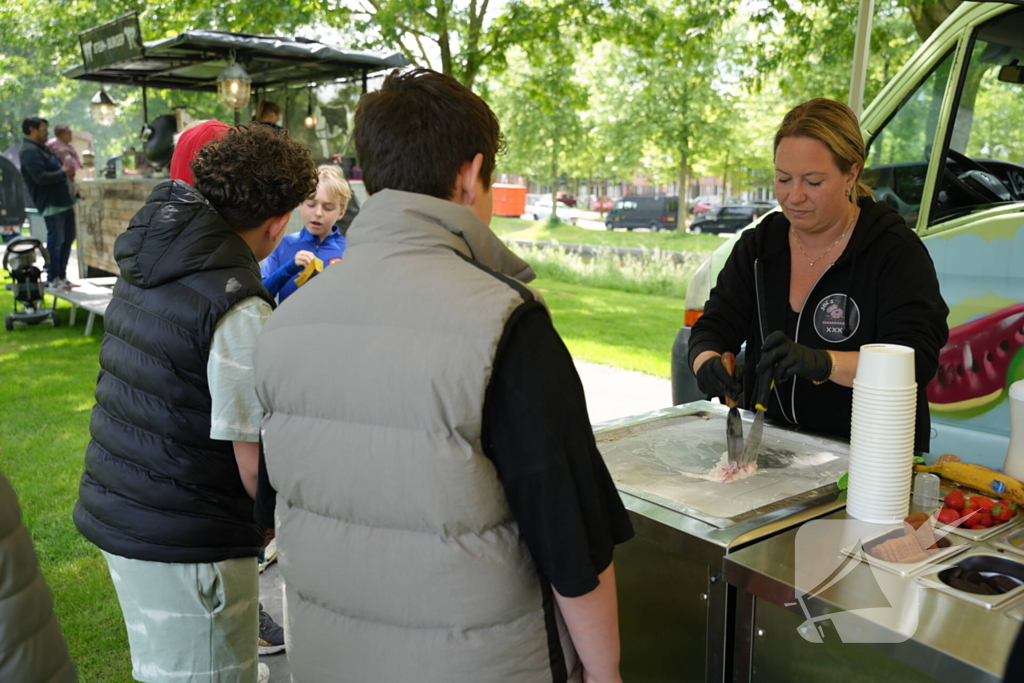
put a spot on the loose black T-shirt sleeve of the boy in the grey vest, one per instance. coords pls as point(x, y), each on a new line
point(538, 434)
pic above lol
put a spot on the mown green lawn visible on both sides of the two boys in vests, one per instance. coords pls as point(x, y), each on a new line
point(50, 377)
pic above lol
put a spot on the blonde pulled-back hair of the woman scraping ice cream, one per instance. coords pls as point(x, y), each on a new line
point(835, 125)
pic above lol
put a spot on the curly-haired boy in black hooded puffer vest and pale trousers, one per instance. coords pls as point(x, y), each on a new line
point(172, 468)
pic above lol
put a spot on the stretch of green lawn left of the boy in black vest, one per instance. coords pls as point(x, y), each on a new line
point(50, 376)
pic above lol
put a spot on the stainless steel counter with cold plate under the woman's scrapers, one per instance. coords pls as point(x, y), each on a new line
point(676, 611)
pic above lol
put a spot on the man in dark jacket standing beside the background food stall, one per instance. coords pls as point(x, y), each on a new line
point(50, 185)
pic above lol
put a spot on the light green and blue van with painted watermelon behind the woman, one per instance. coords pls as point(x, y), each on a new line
point(959, 183)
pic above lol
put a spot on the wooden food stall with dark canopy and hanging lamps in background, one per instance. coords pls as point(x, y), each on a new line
point(211, 62)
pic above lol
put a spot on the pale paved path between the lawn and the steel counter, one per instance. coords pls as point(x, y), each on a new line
point(611, 394)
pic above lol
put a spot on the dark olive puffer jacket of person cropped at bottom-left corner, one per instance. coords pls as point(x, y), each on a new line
point(32, 649)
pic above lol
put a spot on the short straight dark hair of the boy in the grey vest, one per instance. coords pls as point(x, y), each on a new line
point(416, 133)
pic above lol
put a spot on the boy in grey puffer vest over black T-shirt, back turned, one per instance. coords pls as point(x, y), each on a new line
point(444, 513)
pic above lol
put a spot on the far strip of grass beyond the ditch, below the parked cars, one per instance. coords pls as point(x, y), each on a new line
point(517, 229)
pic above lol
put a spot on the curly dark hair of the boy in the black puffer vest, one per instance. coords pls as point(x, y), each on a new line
point(254, 174)
